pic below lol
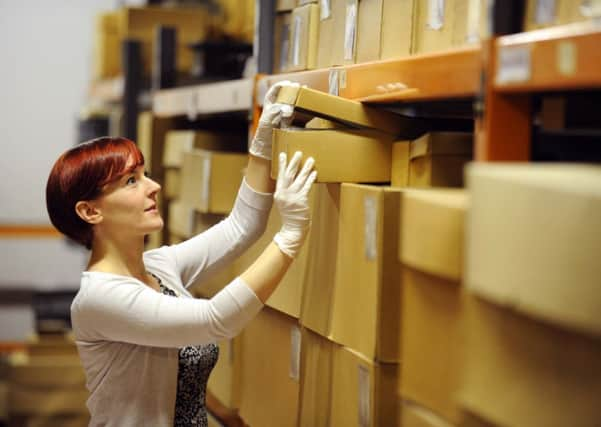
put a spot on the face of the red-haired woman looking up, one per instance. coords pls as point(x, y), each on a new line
point(128, 205)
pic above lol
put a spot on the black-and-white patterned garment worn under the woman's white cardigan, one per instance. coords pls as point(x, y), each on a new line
point(195, 366)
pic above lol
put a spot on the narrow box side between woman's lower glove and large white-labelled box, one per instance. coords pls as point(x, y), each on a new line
point(322, 250)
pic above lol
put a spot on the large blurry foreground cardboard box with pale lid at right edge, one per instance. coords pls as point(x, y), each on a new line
point(532, 324)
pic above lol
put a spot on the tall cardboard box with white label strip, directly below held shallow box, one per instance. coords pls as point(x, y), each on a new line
point(366, 309)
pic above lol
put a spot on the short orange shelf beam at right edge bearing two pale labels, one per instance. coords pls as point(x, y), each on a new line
point(567, 57)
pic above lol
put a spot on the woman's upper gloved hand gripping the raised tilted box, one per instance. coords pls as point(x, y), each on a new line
point(272, 116)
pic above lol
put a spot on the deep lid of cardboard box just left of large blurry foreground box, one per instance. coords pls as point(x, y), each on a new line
point(433, 231)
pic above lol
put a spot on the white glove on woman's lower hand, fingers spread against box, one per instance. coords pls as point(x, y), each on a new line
point(292, 202)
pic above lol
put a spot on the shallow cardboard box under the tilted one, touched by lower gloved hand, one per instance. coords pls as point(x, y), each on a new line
point(340, 156)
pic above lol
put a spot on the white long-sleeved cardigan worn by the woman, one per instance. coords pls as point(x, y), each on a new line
point(128, 335)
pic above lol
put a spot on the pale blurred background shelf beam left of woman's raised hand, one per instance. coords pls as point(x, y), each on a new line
point(210, 98)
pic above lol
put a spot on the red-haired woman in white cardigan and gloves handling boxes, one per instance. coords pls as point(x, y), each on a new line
point(145, 343)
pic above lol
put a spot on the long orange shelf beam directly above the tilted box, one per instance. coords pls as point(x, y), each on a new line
point(445, 75)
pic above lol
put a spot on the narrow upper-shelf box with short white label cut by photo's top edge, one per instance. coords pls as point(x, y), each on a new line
point(332, 19)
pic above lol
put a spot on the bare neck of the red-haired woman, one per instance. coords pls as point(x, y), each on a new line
point(118, 257)
